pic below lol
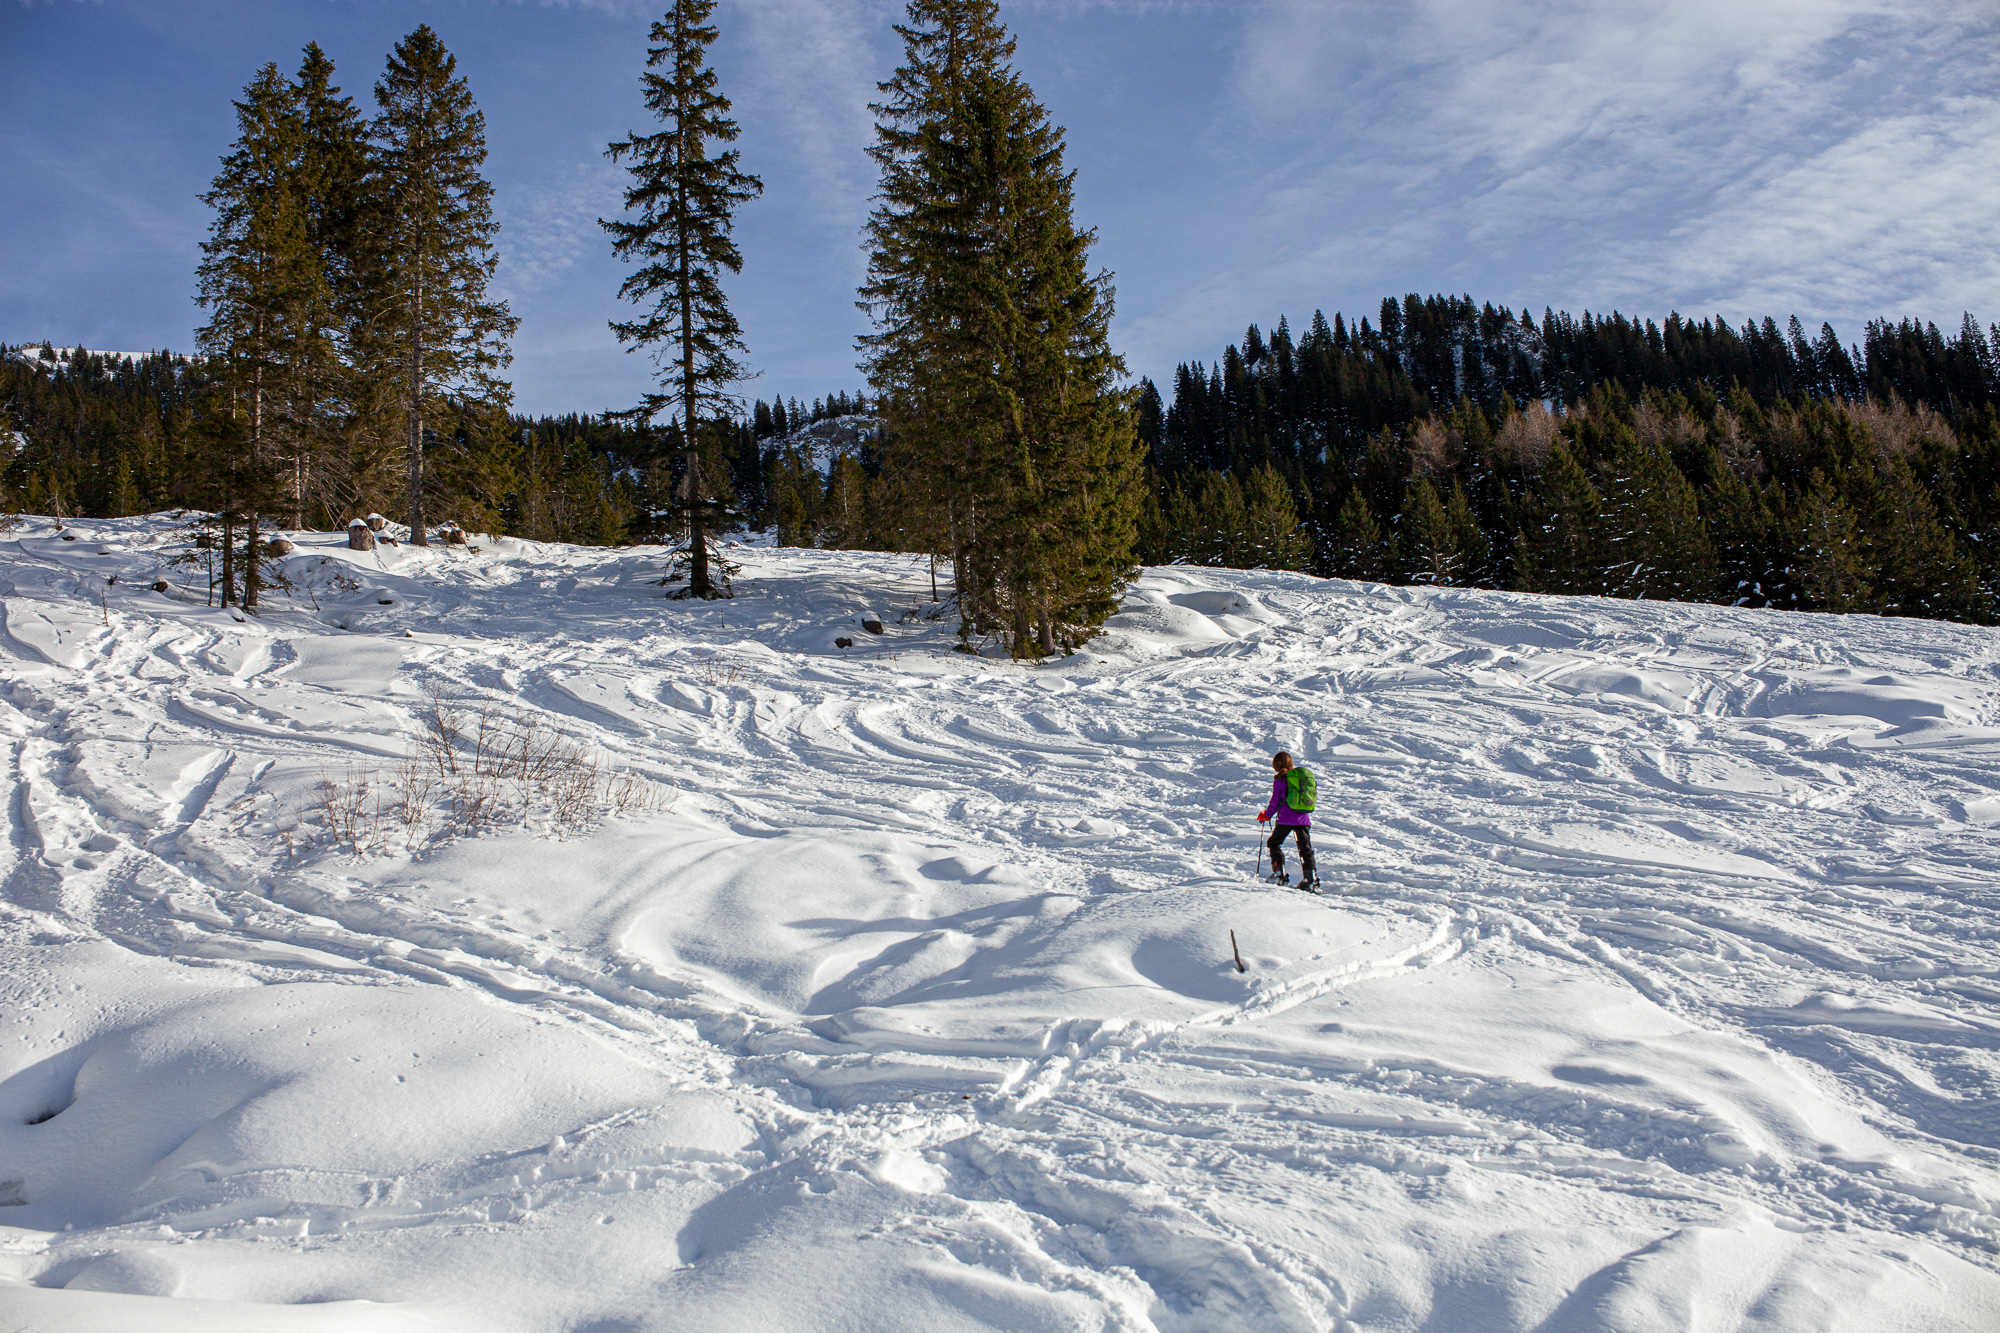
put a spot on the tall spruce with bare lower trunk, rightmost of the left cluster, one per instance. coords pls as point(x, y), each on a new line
point(431, 329)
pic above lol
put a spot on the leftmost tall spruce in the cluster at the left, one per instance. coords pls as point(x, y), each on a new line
point(267, 287)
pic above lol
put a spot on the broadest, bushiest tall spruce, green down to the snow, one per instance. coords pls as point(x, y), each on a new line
point(991, 357)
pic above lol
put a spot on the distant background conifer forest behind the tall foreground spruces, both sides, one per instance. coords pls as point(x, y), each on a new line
point(1631, 459)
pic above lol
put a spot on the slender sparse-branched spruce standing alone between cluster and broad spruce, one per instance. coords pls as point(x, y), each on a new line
point(687, 201)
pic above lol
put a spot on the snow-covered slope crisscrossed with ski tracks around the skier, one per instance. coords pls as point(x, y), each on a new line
point(883, 988)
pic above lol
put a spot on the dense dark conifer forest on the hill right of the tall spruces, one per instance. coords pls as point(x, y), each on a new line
point(1461, 445)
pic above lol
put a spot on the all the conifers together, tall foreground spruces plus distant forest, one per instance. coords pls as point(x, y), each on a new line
point(355, 363)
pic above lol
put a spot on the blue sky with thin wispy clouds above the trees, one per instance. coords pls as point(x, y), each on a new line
point(1243, 159)
